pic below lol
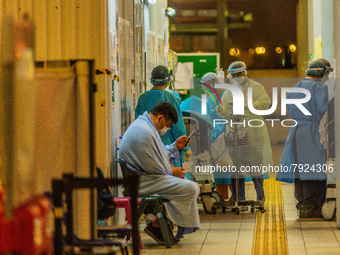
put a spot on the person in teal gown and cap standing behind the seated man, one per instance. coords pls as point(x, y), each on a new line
point(160, 79)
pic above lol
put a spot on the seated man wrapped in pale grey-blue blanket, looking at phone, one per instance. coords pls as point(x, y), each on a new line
point(143, 151)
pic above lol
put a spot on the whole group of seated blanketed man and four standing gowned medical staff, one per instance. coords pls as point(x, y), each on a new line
point(155, 145)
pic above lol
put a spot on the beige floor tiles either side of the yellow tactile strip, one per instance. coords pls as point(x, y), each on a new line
point(234, 234)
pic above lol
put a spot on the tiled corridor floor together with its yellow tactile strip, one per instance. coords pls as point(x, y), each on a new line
point(278, 231)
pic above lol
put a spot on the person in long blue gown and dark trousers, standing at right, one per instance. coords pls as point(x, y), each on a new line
point(303, 155)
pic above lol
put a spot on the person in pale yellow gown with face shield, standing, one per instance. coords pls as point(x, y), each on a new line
point(258, 151)
